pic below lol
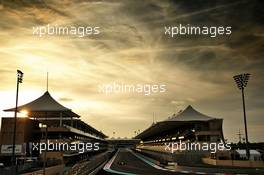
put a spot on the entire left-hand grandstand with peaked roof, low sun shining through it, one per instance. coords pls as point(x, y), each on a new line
point(48, 120)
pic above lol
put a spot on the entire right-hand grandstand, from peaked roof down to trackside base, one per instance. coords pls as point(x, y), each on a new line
point(187, 127)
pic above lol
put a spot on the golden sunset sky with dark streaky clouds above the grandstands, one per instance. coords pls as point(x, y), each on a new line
point(133, 49)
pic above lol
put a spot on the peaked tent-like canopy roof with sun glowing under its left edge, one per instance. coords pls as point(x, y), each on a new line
point(47, 105)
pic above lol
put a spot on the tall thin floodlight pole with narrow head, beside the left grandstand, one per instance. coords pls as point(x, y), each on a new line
point(19, 80)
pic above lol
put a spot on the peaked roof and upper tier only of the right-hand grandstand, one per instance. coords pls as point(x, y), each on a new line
point(188, 125)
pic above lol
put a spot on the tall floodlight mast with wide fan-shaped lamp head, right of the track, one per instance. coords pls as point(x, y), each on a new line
point(241, 81)
